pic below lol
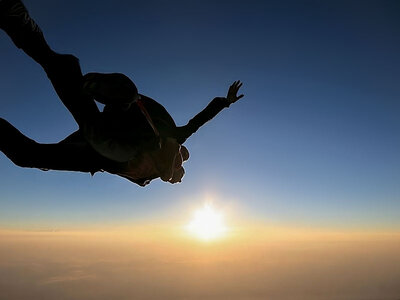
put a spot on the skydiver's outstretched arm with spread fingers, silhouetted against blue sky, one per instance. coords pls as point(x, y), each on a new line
point(212, 109)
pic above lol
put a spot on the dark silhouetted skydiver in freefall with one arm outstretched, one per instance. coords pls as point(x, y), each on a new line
point(133, 137)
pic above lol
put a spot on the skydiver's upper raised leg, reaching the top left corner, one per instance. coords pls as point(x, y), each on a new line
point(63, 70)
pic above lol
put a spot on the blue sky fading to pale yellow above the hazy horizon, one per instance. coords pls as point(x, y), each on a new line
point(314, 142)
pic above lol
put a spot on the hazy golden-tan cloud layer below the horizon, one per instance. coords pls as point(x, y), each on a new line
point(133, 265)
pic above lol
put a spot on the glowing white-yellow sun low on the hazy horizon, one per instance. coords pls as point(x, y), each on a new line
point(207, 223)
